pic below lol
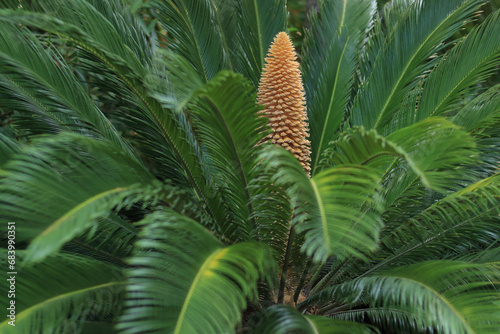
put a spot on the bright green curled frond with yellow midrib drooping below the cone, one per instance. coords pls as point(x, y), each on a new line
point(337, 209)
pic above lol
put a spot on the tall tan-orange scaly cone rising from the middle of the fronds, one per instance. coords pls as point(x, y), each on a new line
point(281, 92)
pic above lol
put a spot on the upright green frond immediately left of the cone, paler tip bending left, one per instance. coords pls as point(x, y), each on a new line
point(228, 130)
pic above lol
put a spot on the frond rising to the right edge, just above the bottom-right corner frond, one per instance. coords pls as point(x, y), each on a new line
point(416, 229)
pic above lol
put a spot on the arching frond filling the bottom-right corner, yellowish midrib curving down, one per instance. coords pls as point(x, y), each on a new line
point(445, 296)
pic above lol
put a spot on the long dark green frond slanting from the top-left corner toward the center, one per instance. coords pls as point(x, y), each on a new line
point(166, 137)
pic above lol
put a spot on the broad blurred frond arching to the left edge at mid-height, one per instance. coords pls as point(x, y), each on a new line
point(38, 189)
